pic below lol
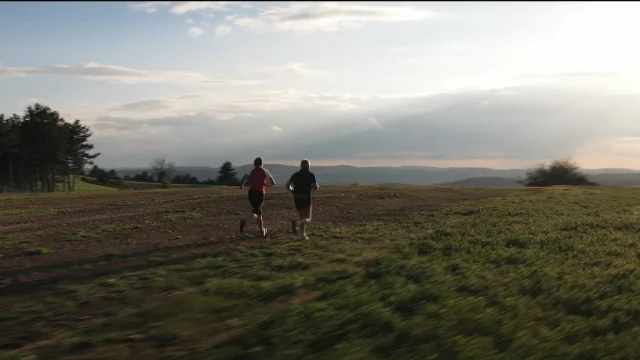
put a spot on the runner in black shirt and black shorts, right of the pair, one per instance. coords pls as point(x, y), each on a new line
point(301, 184)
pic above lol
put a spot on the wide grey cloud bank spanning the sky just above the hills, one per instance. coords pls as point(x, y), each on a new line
point(522, 124)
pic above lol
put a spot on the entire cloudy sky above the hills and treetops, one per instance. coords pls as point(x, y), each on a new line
point(491, 84)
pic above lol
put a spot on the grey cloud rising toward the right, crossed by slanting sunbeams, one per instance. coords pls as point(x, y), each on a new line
point(453, 127)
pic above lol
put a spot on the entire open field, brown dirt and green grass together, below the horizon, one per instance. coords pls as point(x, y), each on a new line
point(403, 273)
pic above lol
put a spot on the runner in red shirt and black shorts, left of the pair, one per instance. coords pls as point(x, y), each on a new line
point(258, 179)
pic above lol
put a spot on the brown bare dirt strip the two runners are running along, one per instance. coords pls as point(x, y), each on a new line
point(48, 241)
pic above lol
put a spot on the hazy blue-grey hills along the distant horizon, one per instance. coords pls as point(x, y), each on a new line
point(409, 175)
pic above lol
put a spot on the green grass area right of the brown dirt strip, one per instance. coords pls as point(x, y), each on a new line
point(548, 275)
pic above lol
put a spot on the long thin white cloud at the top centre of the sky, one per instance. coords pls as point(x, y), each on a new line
point(326, 16)
